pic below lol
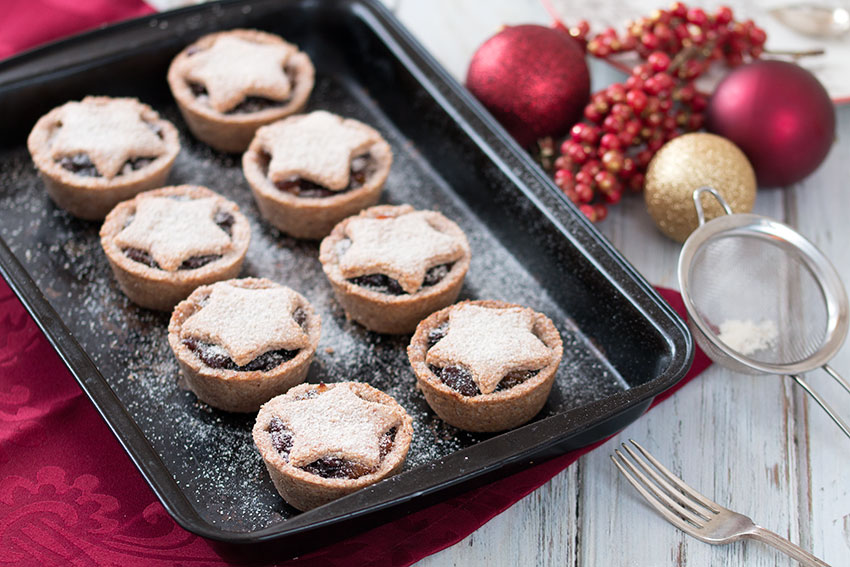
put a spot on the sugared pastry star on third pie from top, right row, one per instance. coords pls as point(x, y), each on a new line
point(403, 248)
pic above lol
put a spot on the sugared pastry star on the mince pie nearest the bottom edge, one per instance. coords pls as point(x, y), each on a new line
point(339, 424)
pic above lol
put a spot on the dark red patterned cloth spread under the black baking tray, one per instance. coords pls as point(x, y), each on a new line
point(69, 494)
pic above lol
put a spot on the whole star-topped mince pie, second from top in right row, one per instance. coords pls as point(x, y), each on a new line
point(309, 172)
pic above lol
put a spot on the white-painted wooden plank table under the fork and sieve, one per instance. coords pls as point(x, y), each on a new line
point(754, 444)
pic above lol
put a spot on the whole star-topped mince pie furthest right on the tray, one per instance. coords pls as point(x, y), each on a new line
point(486, 365)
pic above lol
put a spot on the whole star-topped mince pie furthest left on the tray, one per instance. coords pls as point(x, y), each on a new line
point(95, 153)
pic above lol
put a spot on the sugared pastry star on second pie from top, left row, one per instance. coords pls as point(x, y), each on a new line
point(172, 231)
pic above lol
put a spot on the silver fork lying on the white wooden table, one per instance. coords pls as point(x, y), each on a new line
point(692, 512)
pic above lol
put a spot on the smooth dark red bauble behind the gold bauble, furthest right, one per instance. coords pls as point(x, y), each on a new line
point(779, 115)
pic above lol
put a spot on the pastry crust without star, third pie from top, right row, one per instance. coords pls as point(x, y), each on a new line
point(381, 312)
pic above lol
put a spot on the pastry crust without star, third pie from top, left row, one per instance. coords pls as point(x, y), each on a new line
point(233, 390)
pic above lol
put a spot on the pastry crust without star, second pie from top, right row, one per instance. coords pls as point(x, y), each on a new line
point(313, 217)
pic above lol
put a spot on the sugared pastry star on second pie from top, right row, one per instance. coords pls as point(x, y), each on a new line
point(317, 147)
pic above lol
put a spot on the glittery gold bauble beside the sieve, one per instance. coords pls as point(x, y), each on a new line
point(690, 162)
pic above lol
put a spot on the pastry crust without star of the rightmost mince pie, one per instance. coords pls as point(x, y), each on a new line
point(492, 412)
